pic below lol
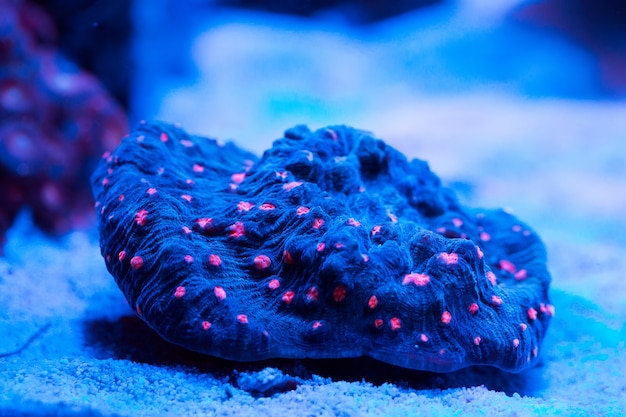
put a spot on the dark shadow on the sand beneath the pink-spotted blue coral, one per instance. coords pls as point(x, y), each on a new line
point(129, 338)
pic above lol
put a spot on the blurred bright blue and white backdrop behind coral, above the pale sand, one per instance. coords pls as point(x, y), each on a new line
point(249, 73)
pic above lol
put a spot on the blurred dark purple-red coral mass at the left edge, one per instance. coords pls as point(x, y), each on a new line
point(55, 123)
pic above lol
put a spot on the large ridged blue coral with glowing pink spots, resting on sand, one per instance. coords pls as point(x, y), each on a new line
point(331, 245)
